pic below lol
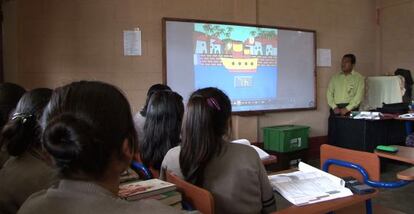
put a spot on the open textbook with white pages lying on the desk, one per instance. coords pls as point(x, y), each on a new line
point(309, 185)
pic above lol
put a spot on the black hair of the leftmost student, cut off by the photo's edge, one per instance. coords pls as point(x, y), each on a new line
point(10, 94)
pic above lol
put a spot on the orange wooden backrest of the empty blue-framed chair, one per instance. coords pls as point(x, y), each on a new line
point(369, 161)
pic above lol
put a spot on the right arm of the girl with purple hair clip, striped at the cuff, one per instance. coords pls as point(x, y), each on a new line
point(268, 199)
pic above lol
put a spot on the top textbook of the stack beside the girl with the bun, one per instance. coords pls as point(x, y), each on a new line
point(143, 189)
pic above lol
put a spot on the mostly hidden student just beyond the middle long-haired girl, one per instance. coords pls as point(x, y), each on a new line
point(139, 119)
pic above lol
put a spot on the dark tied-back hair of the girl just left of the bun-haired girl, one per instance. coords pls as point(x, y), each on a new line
point(23, 131)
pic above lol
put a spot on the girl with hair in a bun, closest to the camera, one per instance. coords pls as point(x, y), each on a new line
point(89, 132)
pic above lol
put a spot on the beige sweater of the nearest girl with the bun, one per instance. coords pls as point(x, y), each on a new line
point(80, 197)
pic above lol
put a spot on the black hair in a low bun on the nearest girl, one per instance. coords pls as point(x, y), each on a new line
point(86, 124)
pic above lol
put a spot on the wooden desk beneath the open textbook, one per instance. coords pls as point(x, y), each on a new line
point(326, 206)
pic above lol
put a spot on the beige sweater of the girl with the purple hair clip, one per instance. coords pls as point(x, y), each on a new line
point(236, 178)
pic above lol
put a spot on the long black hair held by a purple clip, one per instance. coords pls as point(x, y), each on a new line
point(205, 126)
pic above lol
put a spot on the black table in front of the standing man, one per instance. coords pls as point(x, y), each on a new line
point(365, 135)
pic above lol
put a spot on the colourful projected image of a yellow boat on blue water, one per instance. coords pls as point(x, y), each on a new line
point(240, 60)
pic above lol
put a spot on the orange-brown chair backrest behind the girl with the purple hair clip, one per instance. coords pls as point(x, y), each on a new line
point(200, 199)
